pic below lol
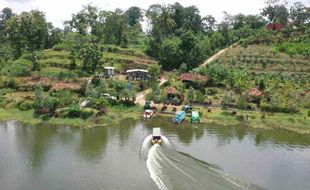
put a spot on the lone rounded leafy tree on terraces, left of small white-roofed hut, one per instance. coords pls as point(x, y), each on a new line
point(91, 58)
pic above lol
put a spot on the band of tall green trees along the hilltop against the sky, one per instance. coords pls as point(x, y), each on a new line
point(178, 36)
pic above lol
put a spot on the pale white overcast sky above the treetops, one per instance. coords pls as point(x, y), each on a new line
point(58, 11)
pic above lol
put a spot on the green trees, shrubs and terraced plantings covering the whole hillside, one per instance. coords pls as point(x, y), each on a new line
point(59, 73)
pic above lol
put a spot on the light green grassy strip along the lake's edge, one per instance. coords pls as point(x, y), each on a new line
point(292, 122)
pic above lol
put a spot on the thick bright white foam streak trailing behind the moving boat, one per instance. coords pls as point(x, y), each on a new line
point(155, 168)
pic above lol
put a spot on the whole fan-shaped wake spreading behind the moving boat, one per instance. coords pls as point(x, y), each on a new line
point(170, 169)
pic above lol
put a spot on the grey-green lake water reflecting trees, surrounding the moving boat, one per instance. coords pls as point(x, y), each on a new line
point(115, 157)
